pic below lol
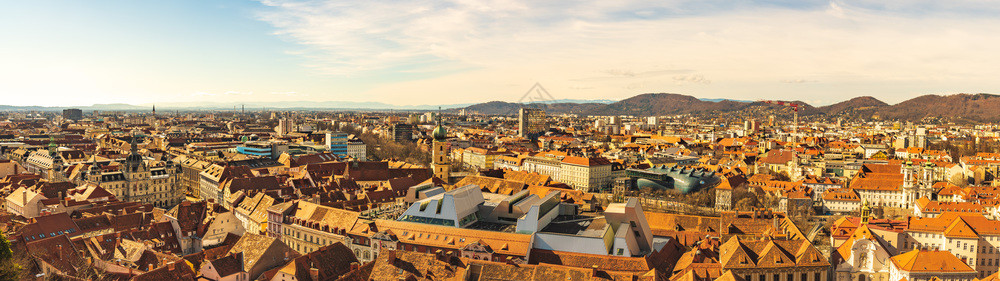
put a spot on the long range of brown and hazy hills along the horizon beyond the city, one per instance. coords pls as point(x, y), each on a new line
point(971, 107)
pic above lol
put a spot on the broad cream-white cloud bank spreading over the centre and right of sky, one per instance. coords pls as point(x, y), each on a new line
point(474, 50)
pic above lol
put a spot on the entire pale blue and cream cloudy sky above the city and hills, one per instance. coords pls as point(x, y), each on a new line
point(62, 53)
